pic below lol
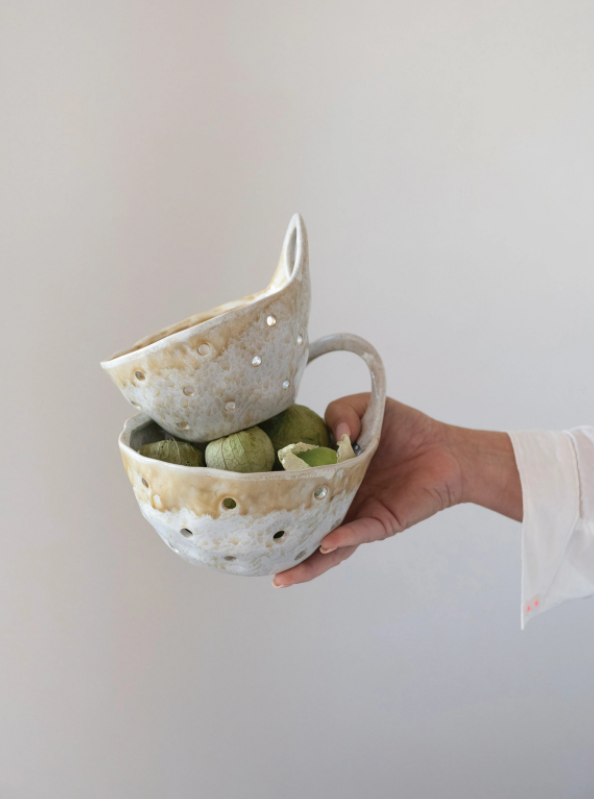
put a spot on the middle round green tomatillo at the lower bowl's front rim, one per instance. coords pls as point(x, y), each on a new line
point(247, 451)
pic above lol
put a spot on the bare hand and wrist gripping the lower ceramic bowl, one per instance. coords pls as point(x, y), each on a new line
point(421, 466)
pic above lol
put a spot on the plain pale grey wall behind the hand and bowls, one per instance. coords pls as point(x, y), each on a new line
point(152, 154)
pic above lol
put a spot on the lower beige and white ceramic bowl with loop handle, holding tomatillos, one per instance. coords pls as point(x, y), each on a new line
point(185, 504)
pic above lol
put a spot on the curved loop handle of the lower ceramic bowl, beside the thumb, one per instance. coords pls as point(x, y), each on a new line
point(371, 423)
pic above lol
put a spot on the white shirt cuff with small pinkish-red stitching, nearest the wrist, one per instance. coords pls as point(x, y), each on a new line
point(548, 468)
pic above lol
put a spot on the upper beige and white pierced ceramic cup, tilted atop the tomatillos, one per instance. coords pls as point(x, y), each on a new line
point(228, 368)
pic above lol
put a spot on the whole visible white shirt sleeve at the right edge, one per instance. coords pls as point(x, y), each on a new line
point(557, 474)
